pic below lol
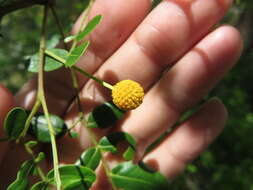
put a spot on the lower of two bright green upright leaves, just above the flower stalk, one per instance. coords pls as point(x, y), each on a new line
point(76, 54)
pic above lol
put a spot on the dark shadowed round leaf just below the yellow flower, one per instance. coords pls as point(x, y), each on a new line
point(104, 116)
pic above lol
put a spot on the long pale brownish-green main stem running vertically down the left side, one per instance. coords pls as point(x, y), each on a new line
point(41, 97)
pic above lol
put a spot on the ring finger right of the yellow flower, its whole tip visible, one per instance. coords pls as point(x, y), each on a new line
point(184, 85)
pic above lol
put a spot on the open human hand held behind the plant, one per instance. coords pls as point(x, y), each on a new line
point(173, 52)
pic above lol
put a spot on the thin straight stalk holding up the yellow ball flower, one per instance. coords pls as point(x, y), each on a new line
point(103, 83)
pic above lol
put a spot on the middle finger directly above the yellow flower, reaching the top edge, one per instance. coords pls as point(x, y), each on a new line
point(165, 35)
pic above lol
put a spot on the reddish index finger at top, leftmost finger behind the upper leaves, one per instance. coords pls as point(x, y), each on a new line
point(119, 20)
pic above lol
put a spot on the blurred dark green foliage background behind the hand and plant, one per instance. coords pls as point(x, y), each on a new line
point(227, 164)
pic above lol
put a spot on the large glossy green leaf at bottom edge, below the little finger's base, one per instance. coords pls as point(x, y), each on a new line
point(128, 176)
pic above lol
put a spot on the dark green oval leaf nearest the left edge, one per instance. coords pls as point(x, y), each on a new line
point(14, 122)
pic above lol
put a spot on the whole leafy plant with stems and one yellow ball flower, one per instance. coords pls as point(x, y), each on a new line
point(47, 128)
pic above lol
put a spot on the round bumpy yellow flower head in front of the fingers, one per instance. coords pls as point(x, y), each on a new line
point(127, 94)
